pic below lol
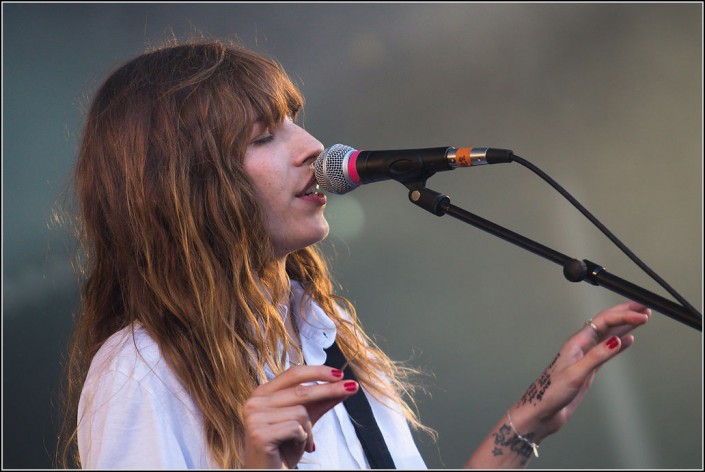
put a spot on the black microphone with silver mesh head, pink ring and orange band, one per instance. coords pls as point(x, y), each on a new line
point(340, 168)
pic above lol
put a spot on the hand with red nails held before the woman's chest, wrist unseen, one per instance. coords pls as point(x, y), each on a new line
point(280, 414)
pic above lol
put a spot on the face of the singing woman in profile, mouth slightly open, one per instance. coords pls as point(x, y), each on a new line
point(278, 161)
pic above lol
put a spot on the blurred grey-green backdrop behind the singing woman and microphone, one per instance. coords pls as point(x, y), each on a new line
point(605, 98)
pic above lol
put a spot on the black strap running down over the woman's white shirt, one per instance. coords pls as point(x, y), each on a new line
point(362, 417)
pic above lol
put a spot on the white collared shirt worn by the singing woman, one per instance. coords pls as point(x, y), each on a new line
point(135, 414)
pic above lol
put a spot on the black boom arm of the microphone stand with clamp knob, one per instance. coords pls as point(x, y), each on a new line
point(573, 269)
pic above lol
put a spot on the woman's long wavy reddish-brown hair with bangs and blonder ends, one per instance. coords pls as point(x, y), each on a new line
point(173, 237)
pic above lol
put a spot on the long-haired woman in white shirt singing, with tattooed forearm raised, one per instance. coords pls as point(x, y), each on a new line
point(207, 310)
